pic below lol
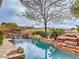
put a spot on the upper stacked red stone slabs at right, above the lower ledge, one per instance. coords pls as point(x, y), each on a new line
point(69, 39)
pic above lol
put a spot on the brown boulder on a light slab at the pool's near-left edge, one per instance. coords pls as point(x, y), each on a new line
point(16, 54)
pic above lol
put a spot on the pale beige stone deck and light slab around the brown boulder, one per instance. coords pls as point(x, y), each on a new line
point(7, 47)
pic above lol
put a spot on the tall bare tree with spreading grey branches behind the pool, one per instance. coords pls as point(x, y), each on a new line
point(46, 10)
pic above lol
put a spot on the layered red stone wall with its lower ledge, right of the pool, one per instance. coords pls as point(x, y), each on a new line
point(68, 43)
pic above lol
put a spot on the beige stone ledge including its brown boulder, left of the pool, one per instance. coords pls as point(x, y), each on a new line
point(9, 51)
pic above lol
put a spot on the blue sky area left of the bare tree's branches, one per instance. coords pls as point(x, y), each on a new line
point(9, 10)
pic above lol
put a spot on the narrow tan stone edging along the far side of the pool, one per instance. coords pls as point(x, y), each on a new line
point(51, 42)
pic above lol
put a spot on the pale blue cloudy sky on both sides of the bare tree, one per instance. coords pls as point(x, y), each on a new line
point(10, 9)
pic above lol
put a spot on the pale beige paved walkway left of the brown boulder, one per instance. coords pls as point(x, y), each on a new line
point(5, 48)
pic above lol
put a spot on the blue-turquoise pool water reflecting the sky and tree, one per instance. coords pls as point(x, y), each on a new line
point(37, 50)
